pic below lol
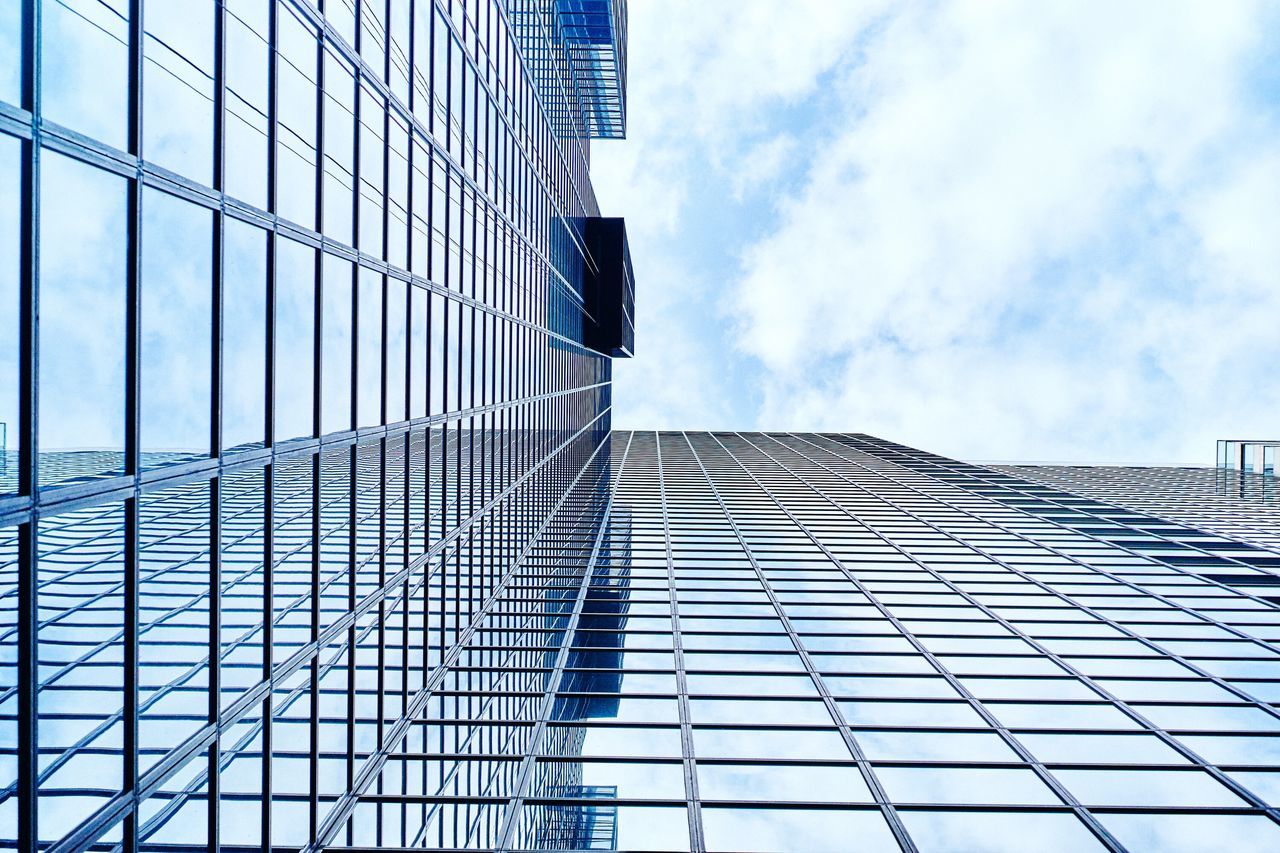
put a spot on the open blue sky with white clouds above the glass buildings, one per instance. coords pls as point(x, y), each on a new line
point(995, 231)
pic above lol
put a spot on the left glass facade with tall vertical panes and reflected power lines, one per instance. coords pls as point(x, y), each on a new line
point(292, 387)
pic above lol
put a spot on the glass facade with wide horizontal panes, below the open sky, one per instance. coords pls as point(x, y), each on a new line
point(784, 642)
